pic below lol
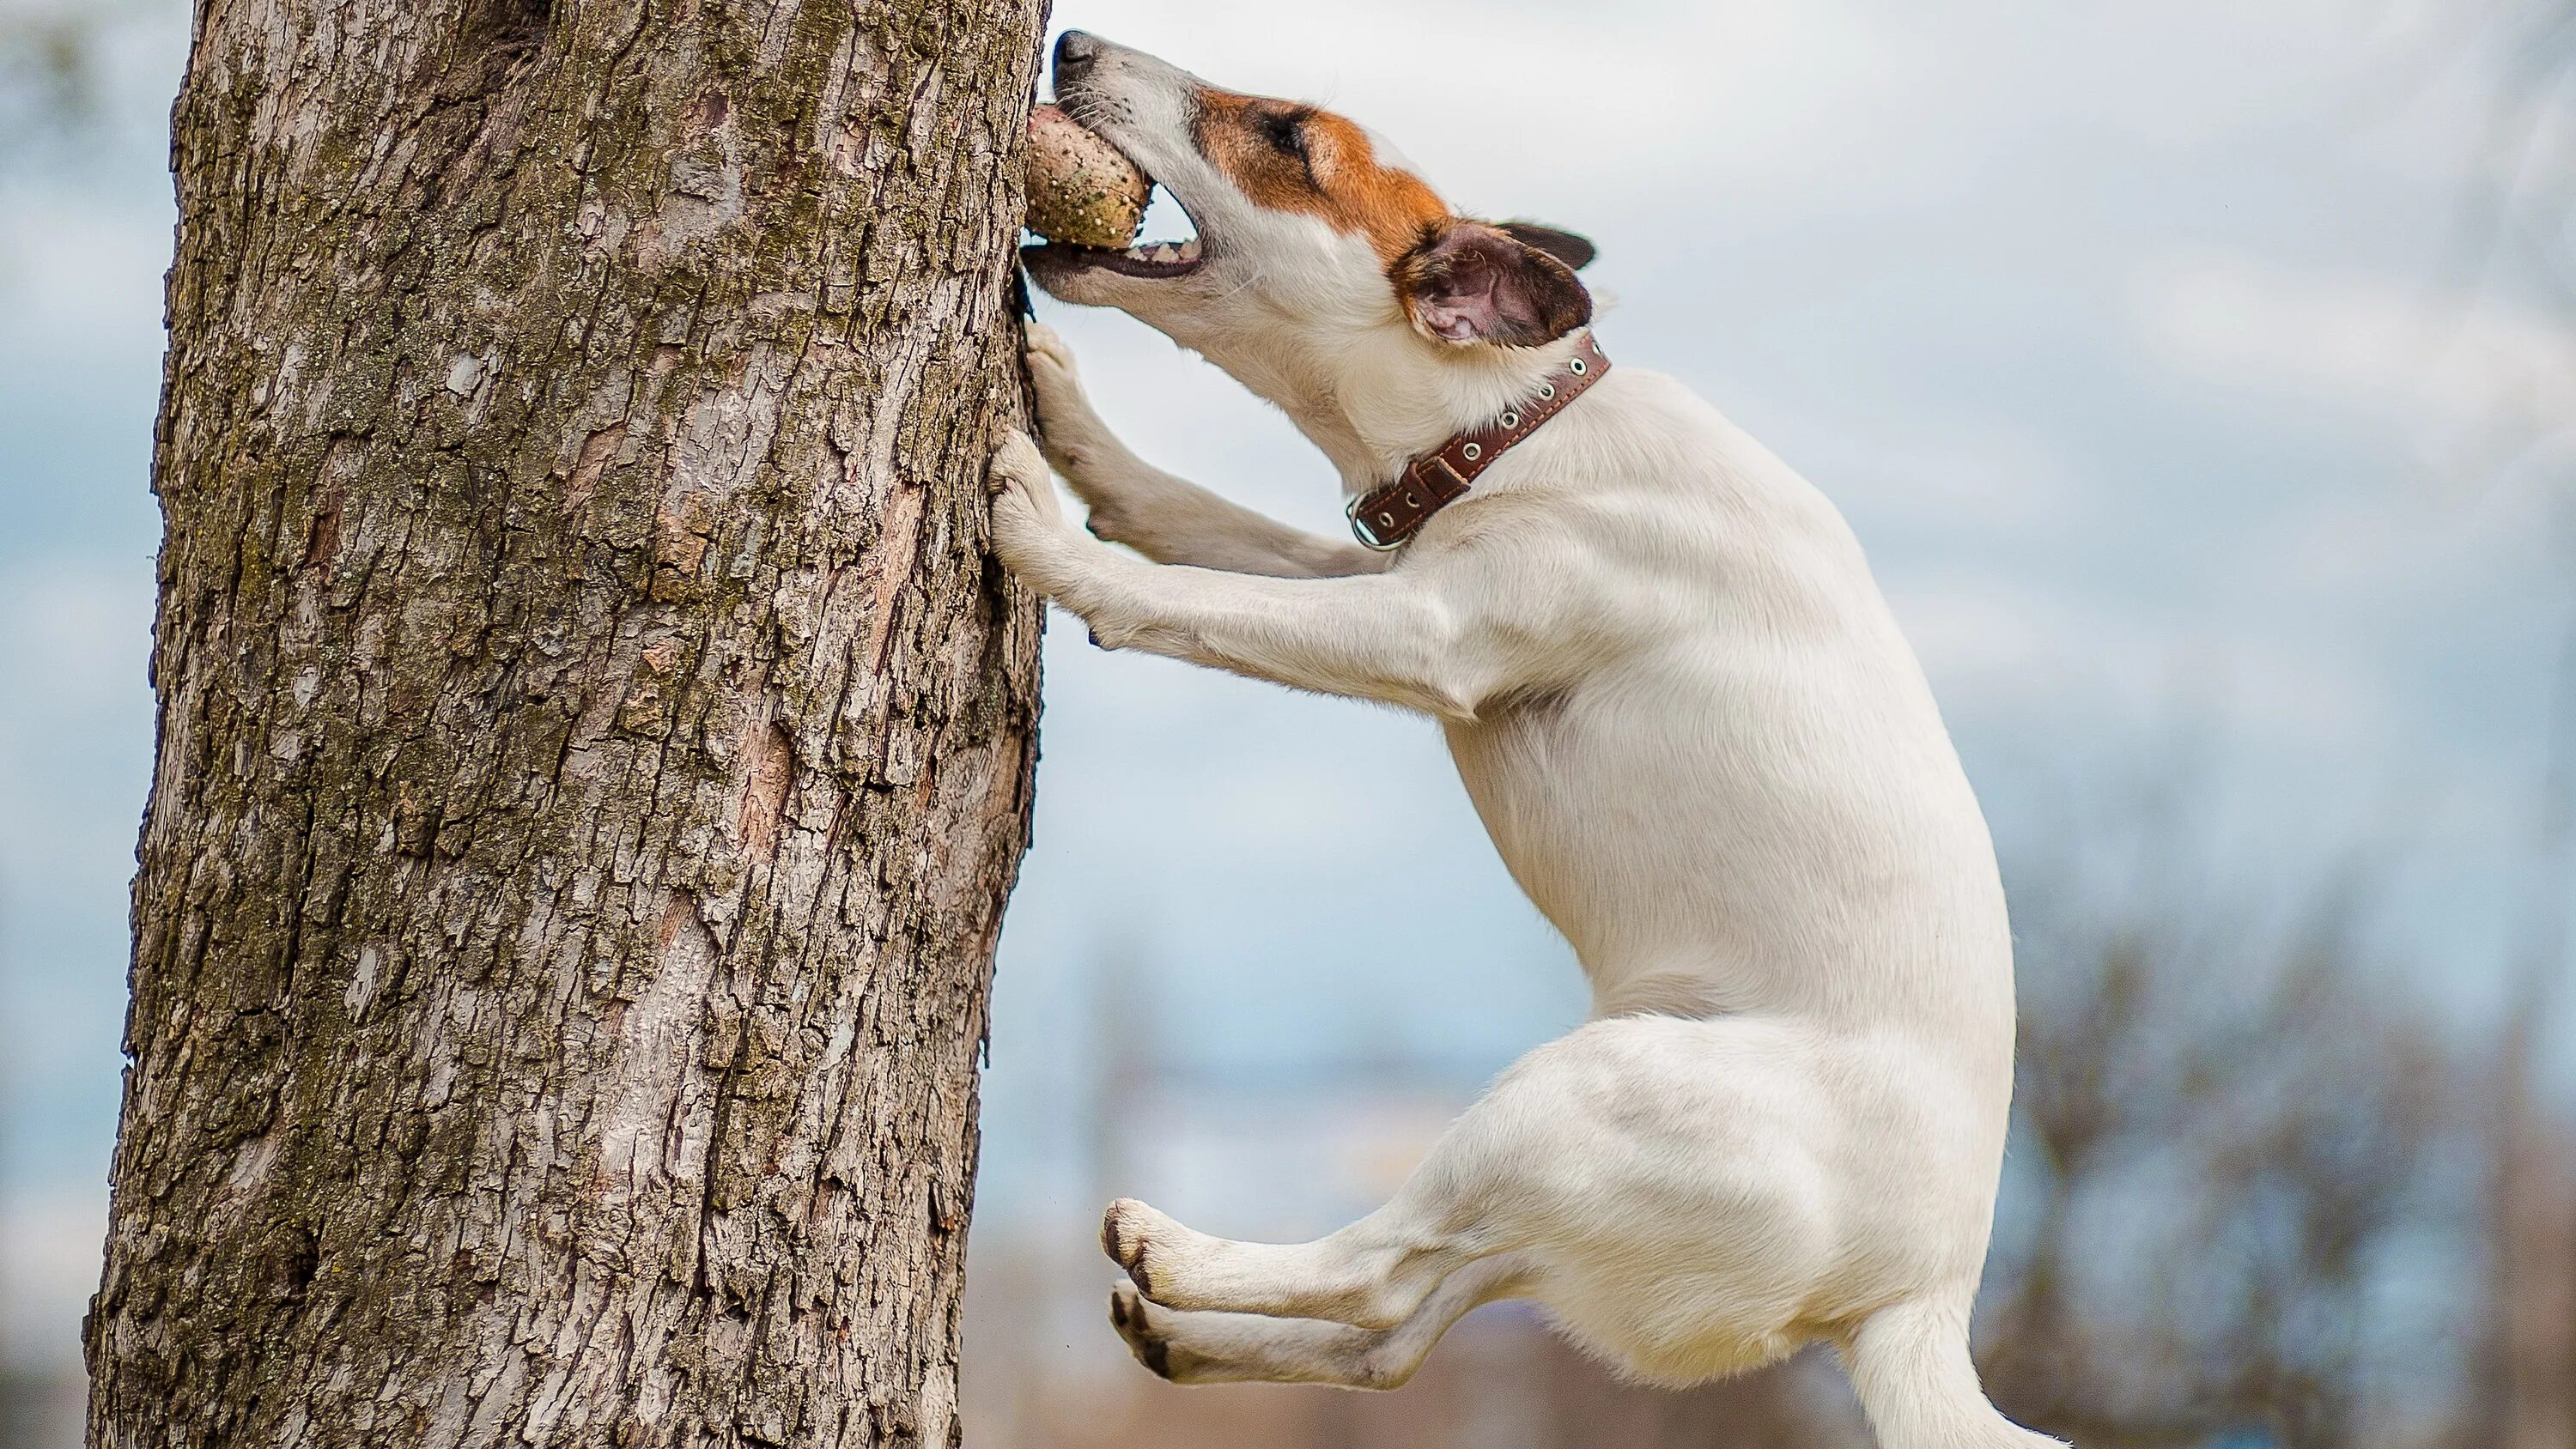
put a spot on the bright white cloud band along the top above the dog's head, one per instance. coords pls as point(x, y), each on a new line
point(1771, 112)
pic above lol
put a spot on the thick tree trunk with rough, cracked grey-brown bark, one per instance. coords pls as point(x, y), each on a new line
point(594, 735)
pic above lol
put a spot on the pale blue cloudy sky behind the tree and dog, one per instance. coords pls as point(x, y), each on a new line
point(2145, 346)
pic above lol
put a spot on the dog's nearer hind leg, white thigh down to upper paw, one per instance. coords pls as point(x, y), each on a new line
point(1627, 1152)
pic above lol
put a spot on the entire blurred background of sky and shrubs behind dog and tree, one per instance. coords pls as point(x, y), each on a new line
point(2204, 382)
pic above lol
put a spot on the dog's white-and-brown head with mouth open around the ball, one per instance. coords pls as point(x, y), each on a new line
point(1312, 235)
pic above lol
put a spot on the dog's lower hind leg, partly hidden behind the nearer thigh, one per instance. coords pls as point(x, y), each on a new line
point(1248, 1347)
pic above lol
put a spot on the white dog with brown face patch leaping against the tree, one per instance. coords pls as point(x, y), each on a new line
point(1681, 709)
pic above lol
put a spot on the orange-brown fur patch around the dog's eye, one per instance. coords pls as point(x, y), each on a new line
point(1297, 158)
